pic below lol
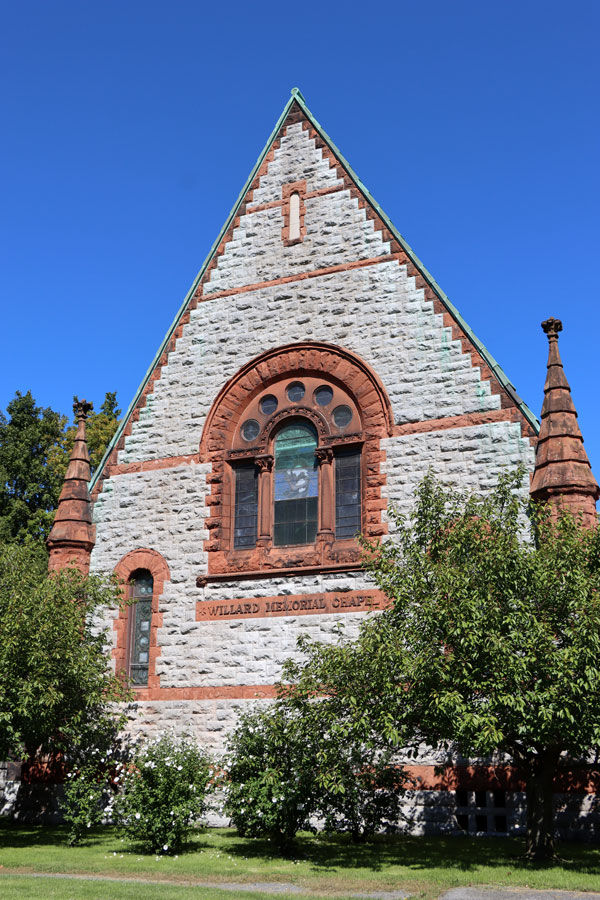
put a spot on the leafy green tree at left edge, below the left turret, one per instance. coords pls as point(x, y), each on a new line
point(56, 683)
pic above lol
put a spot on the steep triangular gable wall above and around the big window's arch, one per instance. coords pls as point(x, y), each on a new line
point(350, 249)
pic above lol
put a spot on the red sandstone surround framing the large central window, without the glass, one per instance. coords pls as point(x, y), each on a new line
point(344, 371)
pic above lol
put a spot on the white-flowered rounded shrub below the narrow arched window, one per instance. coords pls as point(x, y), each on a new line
point(163, 792)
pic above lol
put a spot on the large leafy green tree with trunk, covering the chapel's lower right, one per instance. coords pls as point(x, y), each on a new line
point(491, 644)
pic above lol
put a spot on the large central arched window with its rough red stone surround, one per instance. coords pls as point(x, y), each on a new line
point(294, 441)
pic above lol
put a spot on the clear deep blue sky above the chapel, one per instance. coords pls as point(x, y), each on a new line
point(130, 127)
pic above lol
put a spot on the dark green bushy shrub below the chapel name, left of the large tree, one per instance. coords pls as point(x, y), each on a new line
point(270, 787)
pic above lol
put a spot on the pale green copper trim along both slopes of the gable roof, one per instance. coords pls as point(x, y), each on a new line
point(296, 96)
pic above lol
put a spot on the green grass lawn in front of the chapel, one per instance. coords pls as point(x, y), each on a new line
point(320, 864)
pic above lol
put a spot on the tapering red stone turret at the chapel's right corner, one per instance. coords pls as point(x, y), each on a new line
point(563, 474)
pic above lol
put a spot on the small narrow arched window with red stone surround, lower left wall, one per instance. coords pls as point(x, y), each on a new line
point(144, 573)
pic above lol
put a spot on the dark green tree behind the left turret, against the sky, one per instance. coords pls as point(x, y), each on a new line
point(29, 486)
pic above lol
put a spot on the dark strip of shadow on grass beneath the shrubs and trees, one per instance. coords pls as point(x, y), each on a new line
point(329, 852)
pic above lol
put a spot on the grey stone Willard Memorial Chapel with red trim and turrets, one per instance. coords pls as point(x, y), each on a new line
point(313, 374)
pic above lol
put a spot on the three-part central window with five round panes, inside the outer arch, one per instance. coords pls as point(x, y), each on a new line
point(296, 469)
